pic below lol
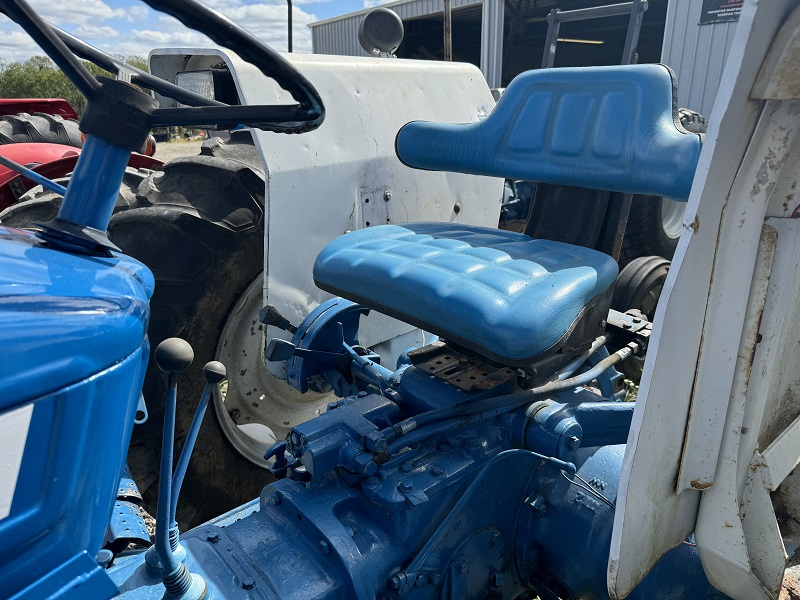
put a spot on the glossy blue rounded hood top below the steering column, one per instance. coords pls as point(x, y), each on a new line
point(73, 313)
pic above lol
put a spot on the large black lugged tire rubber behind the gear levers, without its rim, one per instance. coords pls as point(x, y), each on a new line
point(199, 226)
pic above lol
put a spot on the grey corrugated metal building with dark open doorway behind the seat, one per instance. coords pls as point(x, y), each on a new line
point(507, 37)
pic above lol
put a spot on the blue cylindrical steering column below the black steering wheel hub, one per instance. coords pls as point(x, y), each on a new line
point(94, 185)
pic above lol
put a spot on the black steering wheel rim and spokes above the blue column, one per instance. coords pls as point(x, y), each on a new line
point(306, 115)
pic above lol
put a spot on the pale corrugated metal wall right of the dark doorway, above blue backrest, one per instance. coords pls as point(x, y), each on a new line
point(696, 53)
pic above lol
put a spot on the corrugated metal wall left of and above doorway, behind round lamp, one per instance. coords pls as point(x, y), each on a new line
point(340, 35)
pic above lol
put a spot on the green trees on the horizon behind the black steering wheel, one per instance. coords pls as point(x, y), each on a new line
point(39, 77)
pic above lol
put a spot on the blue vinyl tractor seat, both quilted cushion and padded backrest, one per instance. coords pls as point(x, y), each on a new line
point(511, 298)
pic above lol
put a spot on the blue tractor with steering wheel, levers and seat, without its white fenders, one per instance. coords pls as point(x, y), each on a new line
point(485, 464)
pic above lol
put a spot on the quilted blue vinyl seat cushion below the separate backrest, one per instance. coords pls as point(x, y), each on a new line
point(506, 296)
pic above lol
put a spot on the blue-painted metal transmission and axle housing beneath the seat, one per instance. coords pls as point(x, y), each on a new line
point(461, 514)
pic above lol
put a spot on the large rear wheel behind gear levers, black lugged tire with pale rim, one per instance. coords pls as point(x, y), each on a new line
point(199, 226)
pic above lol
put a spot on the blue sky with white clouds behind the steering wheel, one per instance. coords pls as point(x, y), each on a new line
point(133, 29)
